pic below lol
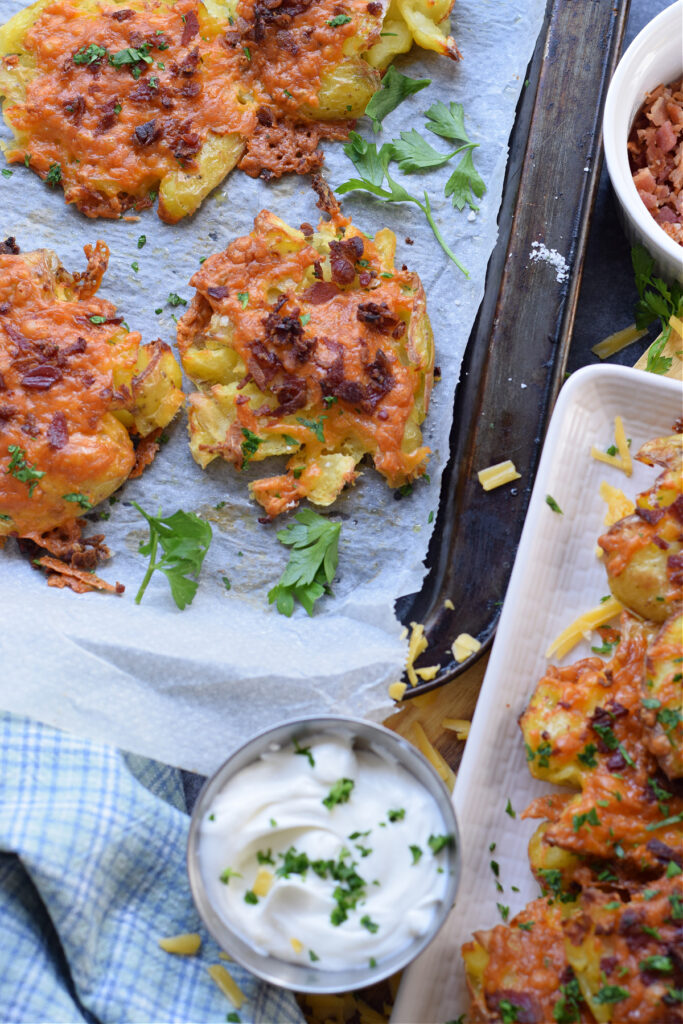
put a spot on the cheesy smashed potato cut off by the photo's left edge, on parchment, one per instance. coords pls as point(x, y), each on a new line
point(77, 391)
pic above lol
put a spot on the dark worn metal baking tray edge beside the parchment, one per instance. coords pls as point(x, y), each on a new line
point(516, 360)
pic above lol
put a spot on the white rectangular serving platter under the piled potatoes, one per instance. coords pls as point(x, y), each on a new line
point(557, 577)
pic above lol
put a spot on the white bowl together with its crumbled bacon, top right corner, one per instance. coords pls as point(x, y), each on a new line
point(644, 140)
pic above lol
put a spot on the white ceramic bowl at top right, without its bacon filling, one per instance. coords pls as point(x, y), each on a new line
point(656, 56)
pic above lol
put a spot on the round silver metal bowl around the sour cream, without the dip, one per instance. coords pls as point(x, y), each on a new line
point(304, 978)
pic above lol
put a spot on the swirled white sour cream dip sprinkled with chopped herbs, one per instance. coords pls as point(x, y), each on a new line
point(326, 855)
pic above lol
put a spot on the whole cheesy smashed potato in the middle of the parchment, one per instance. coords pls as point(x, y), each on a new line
point(310, 346)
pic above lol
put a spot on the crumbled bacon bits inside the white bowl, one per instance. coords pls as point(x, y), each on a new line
point(656, 152)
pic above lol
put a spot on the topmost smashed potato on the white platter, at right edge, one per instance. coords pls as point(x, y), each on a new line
point(645, 551)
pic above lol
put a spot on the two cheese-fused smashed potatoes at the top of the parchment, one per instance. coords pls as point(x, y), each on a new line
point(118, 103)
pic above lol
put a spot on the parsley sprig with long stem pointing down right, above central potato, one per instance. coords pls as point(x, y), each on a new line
point(373, 169)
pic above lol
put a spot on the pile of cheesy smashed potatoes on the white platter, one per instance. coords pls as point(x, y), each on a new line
point(604, 944)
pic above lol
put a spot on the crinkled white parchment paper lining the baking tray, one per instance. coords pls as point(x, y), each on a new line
point(186, 688)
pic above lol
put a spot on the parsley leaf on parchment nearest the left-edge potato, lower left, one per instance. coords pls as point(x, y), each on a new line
point(185, 540)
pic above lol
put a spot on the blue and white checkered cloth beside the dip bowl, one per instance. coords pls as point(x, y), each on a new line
point(93, 847)
